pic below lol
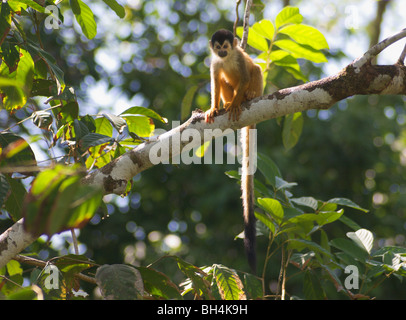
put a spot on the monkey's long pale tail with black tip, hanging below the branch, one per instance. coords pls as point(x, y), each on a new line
point(247, 188)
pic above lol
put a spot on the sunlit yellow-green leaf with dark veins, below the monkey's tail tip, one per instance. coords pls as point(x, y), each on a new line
point(228, 283)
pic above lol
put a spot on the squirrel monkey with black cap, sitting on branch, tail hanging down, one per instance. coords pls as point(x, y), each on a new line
point(235, 78)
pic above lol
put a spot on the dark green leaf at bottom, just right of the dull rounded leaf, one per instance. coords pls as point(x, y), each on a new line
point(159, 285)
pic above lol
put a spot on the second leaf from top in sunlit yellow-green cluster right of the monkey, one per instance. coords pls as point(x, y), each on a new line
point(307, 35)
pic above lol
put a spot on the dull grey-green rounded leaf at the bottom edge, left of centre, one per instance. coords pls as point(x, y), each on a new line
point(119, 282)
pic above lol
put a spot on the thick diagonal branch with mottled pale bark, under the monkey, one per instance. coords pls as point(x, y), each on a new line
point(358, 78)
